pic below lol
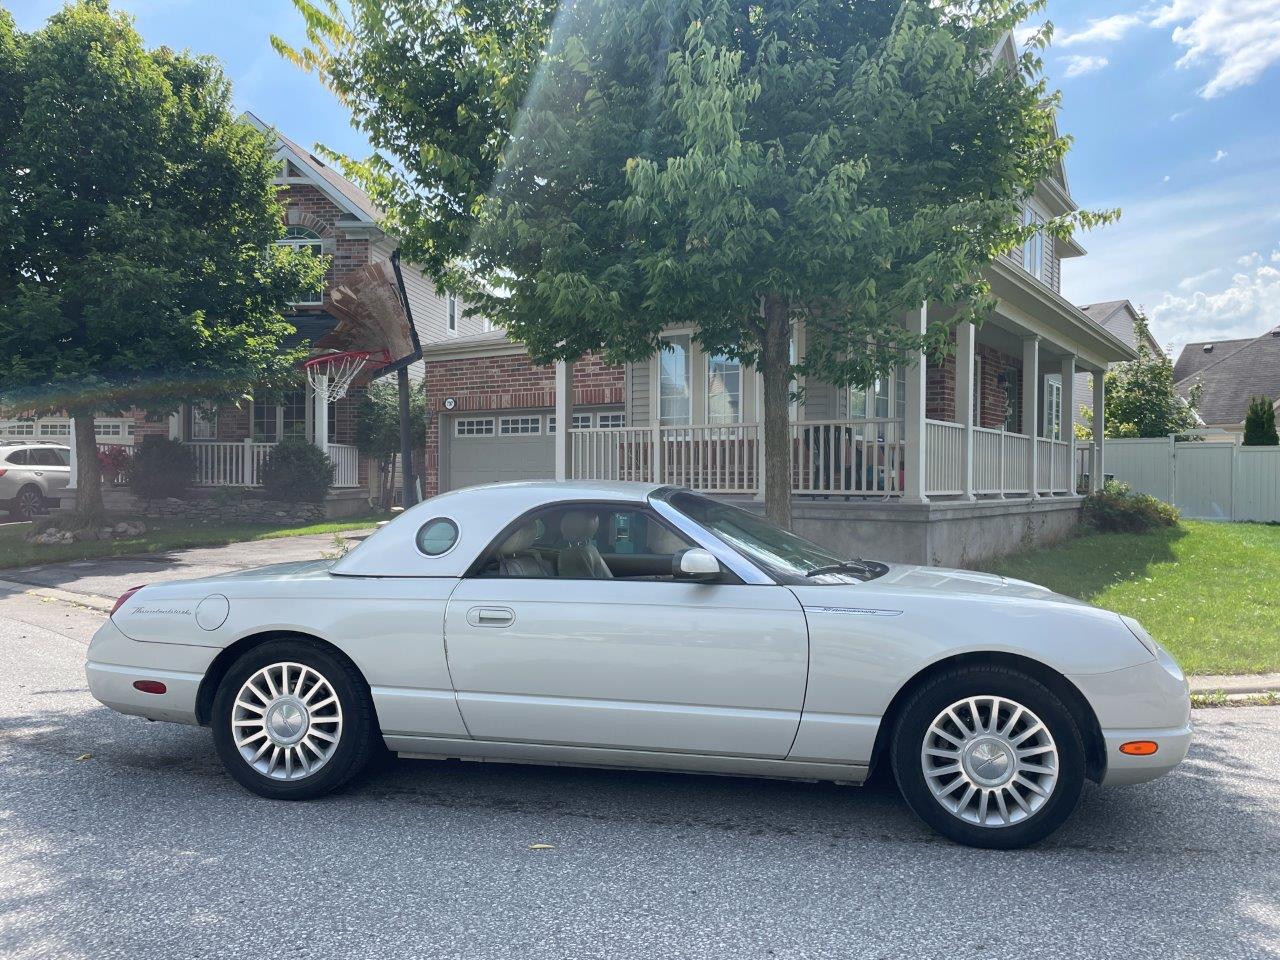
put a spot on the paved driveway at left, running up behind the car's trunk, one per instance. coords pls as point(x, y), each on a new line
point(111, 577)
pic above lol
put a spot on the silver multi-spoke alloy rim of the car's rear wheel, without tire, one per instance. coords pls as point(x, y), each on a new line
point(287, 721)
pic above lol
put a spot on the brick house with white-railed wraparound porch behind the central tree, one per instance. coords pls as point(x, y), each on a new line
point(950, 463)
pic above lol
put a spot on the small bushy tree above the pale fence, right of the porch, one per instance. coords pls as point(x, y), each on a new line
point(1141, 396)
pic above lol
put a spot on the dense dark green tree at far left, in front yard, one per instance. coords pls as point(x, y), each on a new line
point(138, 227)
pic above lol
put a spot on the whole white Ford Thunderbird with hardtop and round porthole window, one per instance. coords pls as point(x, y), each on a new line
point(643, 627)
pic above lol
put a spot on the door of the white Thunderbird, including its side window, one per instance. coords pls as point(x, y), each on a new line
point(575, 633)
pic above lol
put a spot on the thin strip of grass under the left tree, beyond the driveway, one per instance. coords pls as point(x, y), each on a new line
point(162, 536)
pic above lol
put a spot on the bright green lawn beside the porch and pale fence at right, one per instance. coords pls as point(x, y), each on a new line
point(1208, 592)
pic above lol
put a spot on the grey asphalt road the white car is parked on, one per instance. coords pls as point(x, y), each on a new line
point(148, 851)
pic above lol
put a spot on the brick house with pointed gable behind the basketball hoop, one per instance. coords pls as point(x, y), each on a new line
point(331, 216)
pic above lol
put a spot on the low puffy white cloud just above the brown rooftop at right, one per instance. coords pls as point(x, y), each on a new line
point(1246, 308)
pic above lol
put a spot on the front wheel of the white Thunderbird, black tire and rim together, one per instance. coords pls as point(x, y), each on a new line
point(989, 757)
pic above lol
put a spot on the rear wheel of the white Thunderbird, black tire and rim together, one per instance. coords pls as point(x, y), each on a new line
point(308, 732)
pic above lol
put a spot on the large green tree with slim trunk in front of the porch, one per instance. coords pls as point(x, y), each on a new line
point(738, 166)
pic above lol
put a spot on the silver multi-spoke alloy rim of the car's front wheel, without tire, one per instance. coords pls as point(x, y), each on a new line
point(990, 761)
